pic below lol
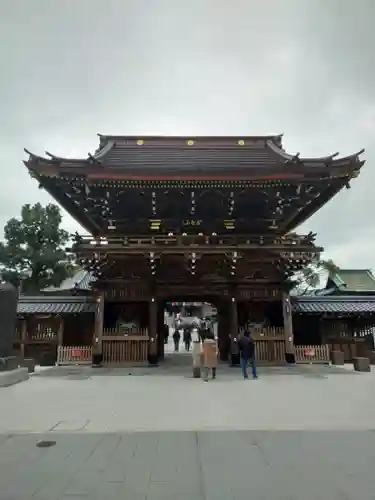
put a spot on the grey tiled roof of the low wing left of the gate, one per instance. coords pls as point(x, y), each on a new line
point(55, 305)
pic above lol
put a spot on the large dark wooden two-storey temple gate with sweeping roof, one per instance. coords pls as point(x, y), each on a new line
point(205, 217)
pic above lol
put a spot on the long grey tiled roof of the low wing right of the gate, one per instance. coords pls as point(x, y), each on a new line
point(321, 304)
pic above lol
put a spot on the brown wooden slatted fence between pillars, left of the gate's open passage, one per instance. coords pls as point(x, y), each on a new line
point(123, 349)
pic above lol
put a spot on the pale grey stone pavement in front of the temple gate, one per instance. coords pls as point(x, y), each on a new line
point(303, 433)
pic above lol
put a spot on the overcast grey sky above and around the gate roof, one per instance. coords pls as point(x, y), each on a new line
point(72, 68)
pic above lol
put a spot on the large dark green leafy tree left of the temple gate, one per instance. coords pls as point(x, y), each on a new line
point(34, 249)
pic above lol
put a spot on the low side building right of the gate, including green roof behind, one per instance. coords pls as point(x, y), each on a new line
point(342, 315)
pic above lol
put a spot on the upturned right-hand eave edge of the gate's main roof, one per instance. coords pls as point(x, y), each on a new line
point(330, 160)
